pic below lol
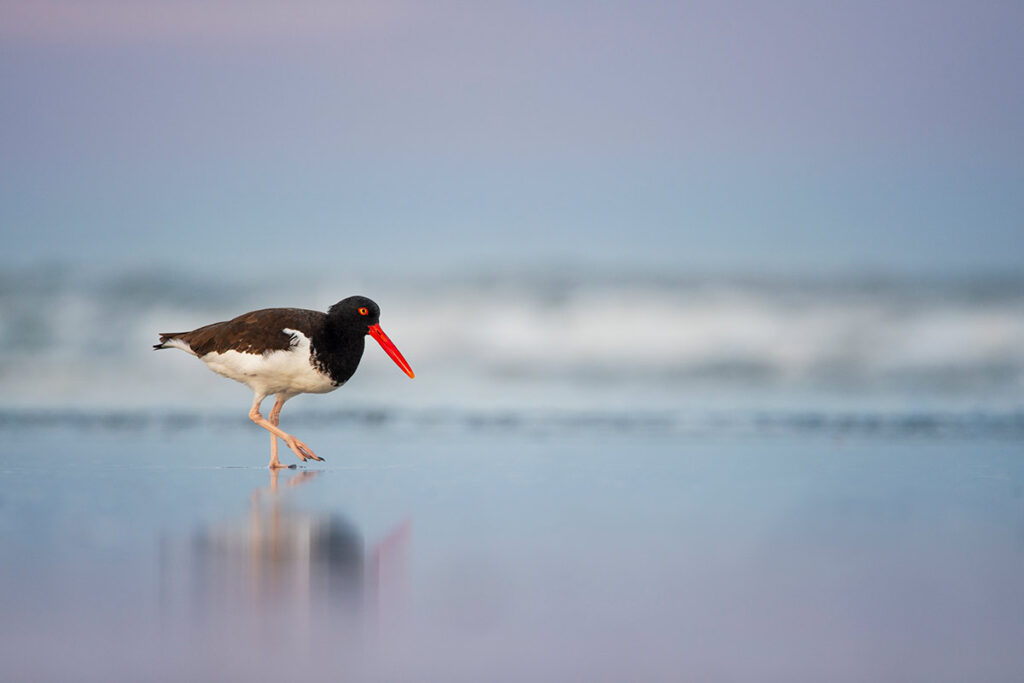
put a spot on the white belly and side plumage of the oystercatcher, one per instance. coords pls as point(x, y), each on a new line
point(276, 372)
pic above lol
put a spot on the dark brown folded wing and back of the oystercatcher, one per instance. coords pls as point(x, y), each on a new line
point(259, 332)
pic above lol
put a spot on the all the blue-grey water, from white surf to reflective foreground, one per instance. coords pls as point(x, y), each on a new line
point(630, 478)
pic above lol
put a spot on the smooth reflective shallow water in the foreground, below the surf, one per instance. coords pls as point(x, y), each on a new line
point(443, 552)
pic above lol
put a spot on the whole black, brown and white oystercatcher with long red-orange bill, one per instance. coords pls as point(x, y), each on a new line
point(288, 352)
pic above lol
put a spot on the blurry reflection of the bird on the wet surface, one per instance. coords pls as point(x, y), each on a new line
point(283, 576)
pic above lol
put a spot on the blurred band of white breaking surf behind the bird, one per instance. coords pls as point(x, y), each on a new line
point(536, 340)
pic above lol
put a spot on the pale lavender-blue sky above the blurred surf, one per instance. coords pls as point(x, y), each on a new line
point(777, 136)
